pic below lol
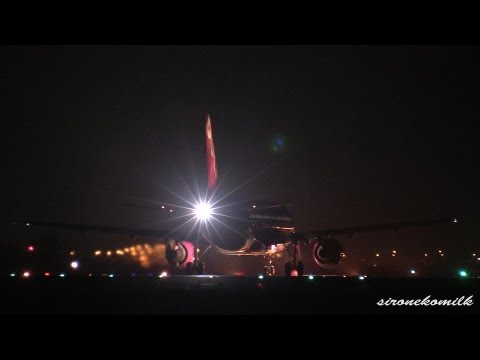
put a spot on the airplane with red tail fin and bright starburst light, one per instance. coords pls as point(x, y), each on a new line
point(248, 228)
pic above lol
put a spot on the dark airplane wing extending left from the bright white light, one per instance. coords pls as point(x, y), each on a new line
point(95, 228)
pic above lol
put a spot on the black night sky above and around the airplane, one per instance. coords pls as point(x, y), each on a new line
point(371, 134)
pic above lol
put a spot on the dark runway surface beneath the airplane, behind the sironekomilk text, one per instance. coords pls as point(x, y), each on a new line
point(207, 295)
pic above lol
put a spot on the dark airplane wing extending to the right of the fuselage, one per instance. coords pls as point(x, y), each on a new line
point(370, 228)
